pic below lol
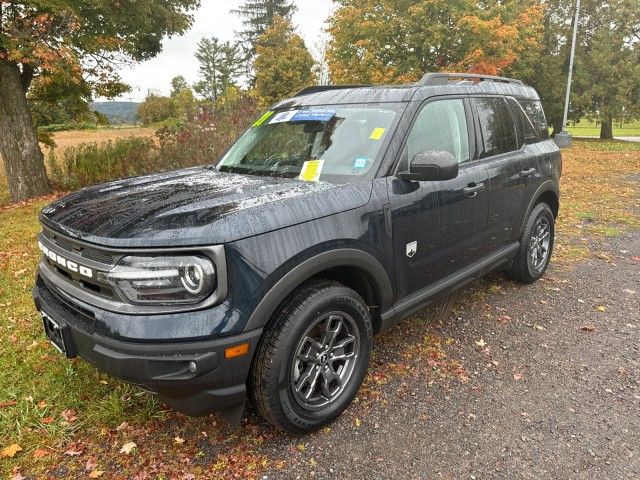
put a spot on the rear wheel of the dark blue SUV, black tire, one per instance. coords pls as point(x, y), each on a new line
point(529, 264)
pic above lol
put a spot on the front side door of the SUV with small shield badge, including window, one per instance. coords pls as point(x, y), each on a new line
point(438, 227)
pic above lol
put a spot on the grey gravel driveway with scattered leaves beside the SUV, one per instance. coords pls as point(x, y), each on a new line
point(551, 387)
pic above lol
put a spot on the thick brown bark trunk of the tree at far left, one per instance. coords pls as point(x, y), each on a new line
point(19, 149)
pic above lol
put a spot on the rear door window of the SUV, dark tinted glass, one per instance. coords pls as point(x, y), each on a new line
point(496, 126)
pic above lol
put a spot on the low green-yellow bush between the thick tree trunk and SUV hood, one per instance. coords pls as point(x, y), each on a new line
point(90, 163)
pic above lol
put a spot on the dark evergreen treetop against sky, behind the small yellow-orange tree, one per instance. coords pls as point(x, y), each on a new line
point(258, 16)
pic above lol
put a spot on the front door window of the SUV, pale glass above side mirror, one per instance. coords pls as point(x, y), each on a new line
point(441, 126)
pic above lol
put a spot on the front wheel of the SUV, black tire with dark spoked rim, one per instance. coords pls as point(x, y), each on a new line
point(276, 384)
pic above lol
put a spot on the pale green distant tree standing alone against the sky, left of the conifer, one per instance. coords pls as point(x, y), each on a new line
point(220, 67)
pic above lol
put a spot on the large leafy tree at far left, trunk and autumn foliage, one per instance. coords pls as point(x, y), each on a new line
point(82, 40)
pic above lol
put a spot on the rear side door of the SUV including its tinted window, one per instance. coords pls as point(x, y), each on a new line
point(502, 153)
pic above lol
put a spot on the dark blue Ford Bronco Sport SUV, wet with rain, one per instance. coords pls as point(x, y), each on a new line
point(339, 212)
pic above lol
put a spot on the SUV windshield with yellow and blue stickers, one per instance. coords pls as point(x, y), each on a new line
point(333, 144)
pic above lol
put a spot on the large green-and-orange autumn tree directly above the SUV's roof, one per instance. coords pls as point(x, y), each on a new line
point(400, 40)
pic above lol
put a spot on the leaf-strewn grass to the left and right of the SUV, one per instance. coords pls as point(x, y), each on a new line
point(65, 417)
